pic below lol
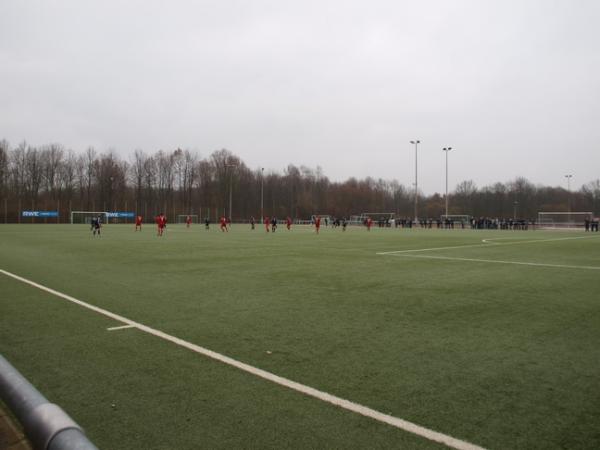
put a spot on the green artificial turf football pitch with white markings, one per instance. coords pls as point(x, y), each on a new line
point(448, 333)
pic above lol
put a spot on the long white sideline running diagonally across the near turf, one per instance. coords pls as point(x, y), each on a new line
point(307, 390)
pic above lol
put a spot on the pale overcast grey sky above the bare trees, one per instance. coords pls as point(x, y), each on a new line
point(512, 86)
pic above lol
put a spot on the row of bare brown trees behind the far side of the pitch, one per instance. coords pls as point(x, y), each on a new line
point(179, 182)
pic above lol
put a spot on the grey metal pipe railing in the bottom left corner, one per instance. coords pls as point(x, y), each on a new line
point(46, 425)
